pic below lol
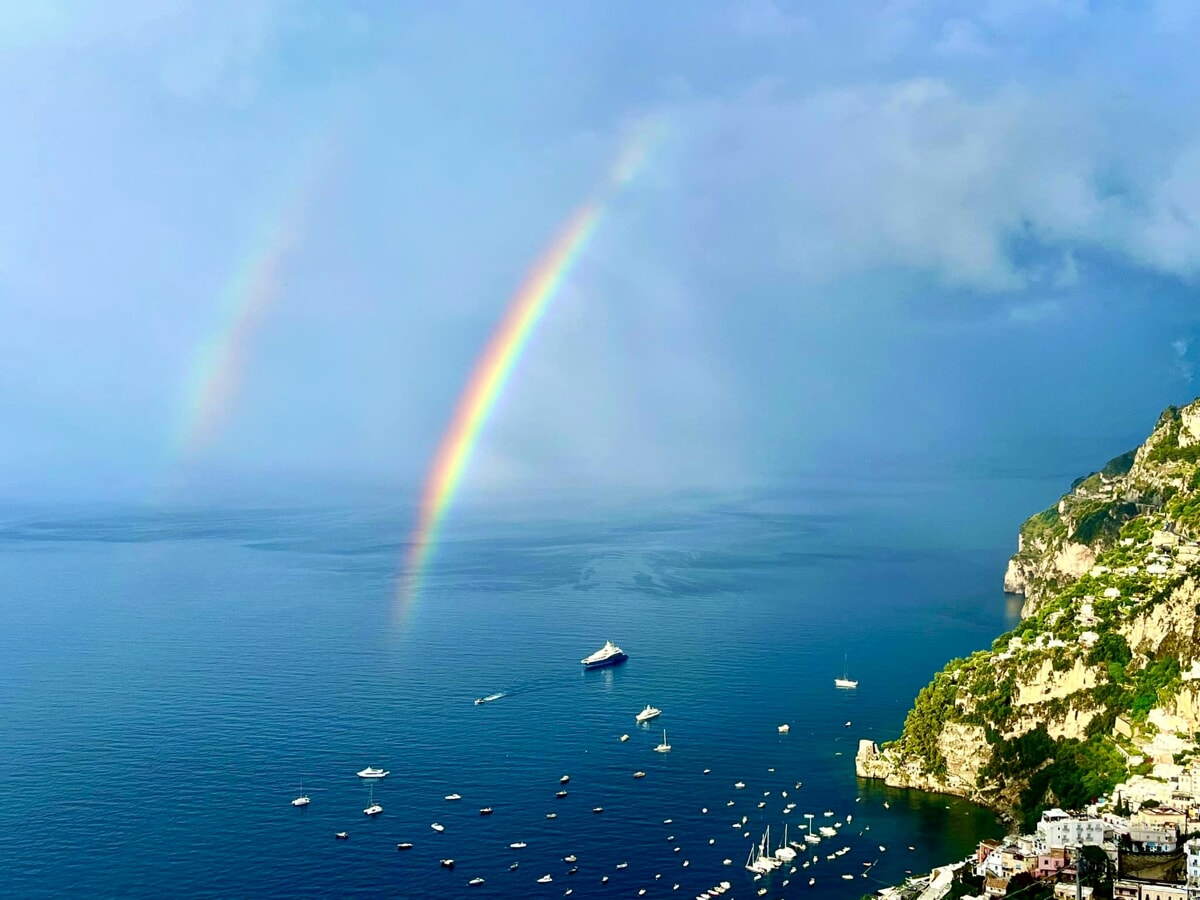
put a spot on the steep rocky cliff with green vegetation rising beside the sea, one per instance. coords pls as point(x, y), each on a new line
point(1111, 627)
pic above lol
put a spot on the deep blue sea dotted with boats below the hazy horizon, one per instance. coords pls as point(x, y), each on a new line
point(170, 677)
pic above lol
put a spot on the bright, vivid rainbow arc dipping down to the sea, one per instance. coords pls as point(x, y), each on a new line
point(505, 350)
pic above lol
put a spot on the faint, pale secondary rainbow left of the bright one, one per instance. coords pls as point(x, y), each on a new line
point(220, 361)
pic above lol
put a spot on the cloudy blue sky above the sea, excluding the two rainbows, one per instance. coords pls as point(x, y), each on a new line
point(873, 235)
